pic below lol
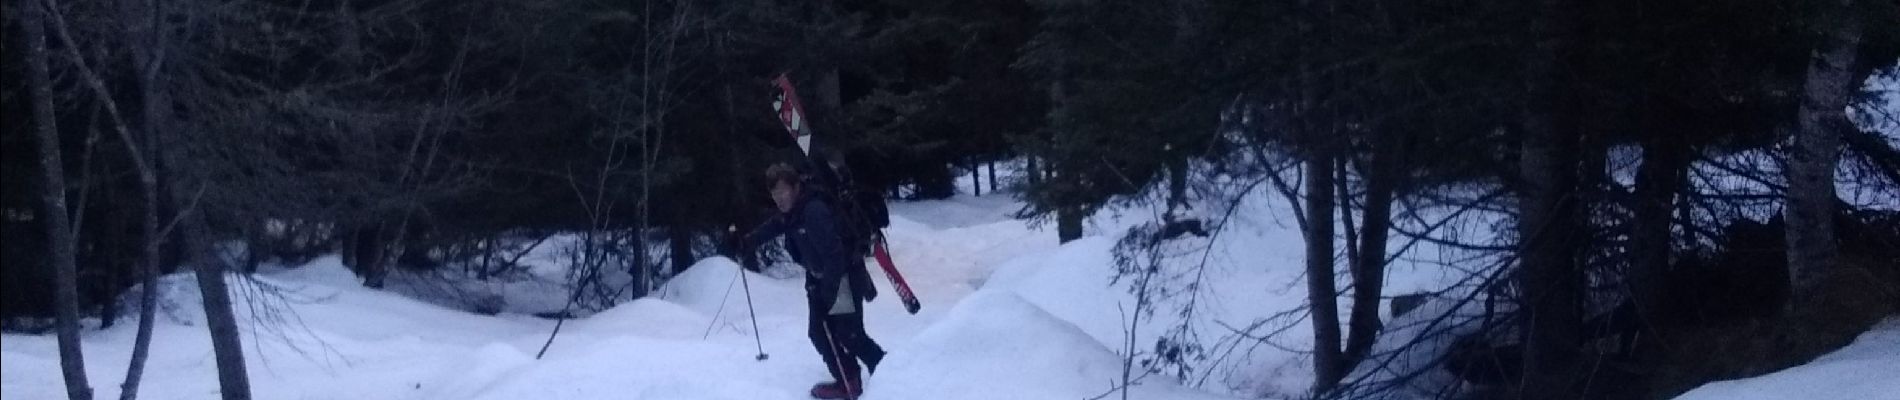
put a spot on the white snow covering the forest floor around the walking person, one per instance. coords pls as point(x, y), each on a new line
point(1008, 314)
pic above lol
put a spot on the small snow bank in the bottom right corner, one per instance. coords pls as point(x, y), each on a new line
point(1861, 371)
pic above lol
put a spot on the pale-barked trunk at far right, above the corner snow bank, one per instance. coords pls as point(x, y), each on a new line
point(1817, 151)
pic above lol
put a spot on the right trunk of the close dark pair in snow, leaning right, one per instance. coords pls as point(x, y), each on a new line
point(1369, 272)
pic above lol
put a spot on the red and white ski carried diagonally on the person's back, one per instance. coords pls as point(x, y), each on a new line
point(793, 115)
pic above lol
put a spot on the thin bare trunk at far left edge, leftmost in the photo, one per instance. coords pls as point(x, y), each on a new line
point(54, 200)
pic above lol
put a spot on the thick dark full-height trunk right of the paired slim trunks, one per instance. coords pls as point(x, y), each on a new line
point(1548, 270)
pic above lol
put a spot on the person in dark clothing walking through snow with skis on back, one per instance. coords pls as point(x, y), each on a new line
point(814, 238)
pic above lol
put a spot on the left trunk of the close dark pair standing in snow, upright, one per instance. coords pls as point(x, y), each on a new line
point(1323, 295)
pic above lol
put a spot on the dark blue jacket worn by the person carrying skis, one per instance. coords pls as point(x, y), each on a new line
point(814, 242)
